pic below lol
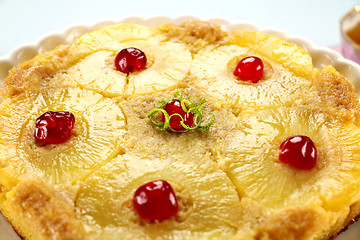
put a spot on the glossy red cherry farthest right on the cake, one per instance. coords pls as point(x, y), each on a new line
point(299, 152)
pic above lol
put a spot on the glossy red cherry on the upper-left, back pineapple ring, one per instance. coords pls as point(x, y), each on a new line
point(130, 60)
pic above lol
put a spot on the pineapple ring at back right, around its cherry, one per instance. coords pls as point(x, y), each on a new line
point(212, 72)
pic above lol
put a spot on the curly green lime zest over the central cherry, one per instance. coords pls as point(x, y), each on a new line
point(187, 106)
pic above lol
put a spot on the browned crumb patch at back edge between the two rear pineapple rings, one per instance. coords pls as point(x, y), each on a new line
point(195, 34)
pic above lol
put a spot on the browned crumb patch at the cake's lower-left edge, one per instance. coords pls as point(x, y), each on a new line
point(37, 207)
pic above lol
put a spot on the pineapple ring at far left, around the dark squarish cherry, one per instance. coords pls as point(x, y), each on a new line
point(96, 137)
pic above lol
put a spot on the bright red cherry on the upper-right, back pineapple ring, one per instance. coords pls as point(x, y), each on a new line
point(250, 68)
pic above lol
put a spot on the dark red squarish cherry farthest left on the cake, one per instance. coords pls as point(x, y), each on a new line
point(54, 127)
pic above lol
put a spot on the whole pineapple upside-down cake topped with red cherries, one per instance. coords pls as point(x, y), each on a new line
point(178, 132)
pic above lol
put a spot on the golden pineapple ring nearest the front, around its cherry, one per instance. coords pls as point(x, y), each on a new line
point(209, 206)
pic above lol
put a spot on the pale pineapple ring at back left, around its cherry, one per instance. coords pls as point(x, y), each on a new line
point(167, 62)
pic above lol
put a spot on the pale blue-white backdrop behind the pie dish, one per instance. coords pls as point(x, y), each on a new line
point(23, 21)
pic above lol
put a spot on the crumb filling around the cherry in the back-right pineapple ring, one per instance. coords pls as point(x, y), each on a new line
point(231, 65)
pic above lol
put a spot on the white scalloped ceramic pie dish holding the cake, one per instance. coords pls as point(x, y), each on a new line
point(321, 56)
